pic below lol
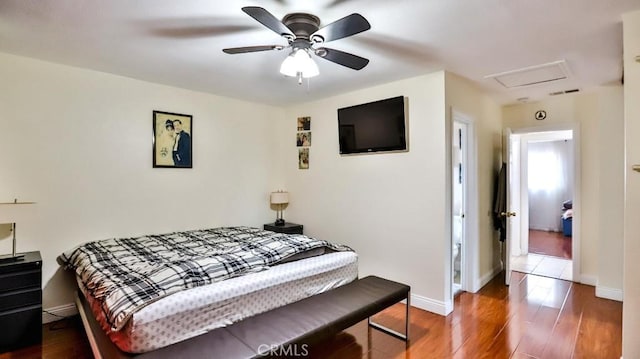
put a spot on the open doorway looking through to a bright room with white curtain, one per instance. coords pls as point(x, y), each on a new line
point(544, 165)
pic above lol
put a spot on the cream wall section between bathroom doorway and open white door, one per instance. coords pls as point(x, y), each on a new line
point(463, 96)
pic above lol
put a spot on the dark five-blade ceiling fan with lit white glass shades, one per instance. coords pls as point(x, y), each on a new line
point(302, 32)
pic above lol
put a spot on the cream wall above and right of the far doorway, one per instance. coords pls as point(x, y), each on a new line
point(592, 111)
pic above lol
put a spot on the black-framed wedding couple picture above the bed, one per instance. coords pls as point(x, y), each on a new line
point(172, 135)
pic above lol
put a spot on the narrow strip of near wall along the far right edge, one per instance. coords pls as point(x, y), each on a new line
point(631, 308)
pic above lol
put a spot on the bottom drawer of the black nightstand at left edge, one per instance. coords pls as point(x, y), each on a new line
point(20, 327)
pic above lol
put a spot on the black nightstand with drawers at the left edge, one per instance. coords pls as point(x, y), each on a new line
point(21, 302)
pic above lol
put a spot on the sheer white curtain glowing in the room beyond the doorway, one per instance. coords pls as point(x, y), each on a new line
point(549, 181)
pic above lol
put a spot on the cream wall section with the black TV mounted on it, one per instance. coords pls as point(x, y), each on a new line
point(389, 207)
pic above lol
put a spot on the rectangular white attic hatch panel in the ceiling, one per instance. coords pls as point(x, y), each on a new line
point(533, 75)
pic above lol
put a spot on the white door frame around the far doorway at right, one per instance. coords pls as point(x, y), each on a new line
point(577, 188)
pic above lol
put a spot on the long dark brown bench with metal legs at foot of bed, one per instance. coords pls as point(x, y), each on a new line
point(280, 330)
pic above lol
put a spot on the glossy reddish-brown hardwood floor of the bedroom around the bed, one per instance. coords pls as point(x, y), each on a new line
point(535, 317)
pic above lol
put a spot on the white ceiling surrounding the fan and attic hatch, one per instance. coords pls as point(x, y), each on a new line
point(180, 42)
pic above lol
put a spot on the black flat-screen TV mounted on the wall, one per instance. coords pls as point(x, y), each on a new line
point(373, 127)
